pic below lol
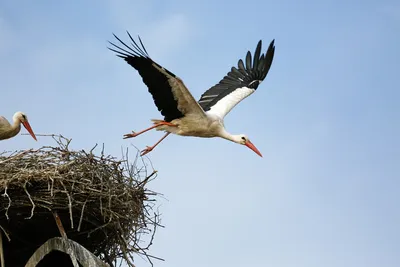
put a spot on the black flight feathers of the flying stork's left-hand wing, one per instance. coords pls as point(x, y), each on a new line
point(156, 81)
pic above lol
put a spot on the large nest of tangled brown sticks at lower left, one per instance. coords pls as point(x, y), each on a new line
point(102, 202)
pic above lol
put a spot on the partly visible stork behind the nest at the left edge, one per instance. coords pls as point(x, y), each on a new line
point(7, 130)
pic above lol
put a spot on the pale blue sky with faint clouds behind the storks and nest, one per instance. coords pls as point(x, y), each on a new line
point(326, 119)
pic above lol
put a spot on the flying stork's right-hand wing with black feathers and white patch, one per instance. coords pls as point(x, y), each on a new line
point(239, 83)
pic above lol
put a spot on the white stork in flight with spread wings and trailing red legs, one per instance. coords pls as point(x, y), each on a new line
point(182, 114)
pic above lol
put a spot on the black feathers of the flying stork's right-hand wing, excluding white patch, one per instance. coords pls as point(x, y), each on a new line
point(249, 75)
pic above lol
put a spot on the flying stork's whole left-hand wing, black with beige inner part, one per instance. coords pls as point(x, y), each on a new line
point(170, 95)
